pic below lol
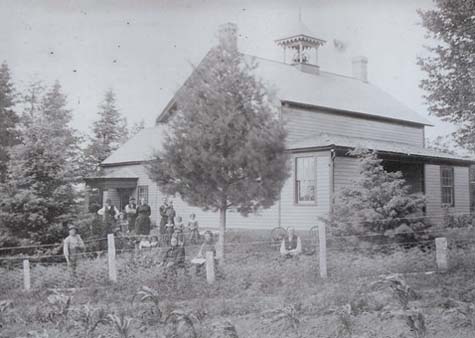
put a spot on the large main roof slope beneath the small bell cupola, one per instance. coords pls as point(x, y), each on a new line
point(328, 91)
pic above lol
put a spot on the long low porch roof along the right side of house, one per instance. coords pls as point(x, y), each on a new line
point(323, 140)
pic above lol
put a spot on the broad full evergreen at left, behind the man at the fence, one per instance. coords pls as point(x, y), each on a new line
point(38, 195)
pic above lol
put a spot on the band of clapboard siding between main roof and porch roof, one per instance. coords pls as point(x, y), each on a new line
point(302, 123)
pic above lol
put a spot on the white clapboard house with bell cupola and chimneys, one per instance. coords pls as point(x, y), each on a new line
point(326, 115)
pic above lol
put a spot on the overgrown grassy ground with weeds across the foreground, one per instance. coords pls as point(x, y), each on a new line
point(257, 294)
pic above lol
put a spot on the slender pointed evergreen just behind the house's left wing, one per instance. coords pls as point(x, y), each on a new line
point(109, 132)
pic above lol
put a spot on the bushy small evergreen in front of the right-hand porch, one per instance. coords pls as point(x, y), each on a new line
point(376, 201)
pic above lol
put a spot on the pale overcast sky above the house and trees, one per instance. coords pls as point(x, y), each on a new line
point(143, 49)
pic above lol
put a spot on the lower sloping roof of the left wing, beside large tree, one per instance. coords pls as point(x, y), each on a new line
point(139, 148)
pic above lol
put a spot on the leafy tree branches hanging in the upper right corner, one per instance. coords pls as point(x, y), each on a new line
point(450, 67)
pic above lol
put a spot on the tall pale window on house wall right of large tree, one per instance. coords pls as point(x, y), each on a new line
point(305, 183)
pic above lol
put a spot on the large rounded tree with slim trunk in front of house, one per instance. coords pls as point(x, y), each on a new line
point(226, 146)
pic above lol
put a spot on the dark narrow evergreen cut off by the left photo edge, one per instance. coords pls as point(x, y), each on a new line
point(8, 119)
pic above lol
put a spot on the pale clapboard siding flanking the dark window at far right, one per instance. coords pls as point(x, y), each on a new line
point(434, 208)
